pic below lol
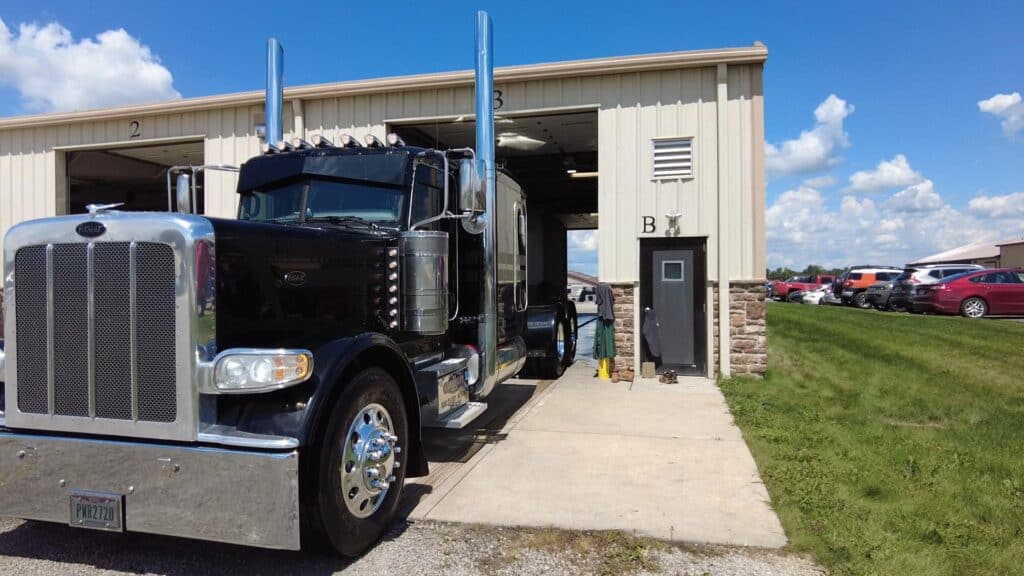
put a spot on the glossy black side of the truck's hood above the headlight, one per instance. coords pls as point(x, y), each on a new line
point(282, 285)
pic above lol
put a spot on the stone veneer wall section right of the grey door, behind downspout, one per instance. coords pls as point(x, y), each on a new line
point(749, 342)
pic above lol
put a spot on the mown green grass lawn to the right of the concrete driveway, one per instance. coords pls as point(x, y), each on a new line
point(892, 444)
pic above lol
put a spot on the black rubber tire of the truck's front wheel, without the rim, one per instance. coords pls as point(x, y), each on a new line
point(347, 533)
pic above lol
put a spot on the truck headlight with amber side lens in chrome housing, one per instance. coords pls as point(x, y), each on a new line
point(261, 371)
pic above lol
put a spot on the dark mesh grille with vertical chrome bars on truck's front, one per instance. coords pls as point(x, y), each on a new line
point(97, 331)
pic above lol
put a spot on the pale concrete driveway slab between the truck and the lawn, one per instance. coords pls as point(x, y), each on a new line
point(652, 460)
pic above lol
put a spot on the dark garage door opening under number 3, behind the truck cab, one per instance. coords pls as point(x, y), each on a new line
point(554, 157)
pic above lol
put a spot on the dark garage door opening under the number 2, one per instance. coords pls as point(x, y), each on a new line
point(135, 177)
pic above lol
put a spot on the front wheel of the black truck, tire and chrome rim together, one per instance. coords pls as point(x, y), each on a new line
point(362, 465)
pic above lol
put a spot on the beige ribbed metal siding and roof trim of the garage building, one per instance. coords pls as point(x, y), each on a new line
point(633, 109)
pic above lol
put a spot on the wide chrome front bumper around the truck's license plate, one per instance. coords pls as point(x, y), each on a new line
point(236, 497)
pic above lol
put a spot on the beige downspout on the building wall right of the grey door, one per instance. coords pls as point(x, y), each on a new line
point(724, 365)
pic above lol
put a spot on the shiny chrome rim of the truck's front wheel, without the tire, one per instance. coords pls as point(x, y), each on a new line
point(368, 461)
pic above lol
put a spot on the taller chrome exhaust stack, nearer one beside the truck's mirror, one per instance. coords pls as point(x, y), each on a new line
point(488, 327)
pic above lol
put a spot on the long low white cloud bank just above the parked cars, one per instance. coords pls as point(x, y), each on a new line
point(804, 227)
